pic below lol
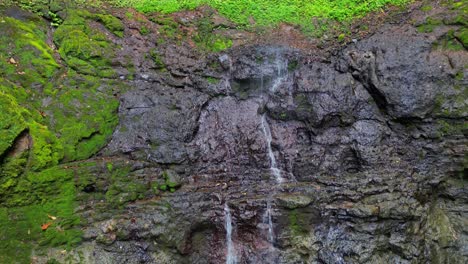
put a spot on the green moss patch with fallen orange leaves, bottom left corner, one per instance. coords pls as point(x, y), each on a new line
point(40, 195)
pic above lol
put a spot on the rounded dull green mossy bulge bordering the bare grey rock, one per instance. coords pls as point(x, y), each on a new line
point(84, 115)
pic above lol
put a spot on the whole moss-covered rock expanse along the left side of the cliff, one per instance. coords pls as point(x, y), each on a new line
point(50, 114)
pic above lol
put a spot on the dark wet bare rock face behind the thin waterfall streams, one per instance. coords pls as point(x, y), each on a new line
point(368, 143)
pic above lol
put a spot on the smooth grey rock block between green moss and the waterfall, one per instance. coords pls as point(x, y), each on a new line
point(157, 122)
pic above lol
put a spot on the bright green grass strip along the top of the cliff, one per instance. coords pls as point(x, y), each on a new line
point(268, 12)
